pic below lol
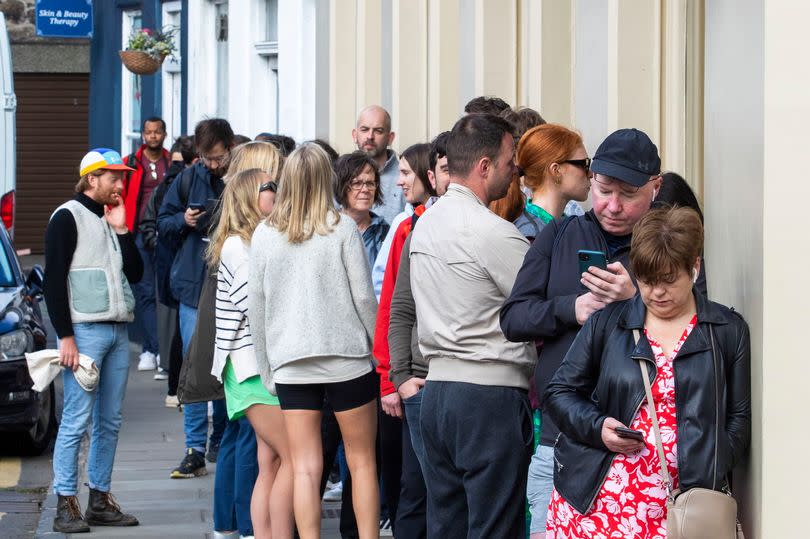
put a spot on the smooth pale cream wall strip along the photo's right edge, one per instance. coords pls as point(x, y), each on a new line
point(785, 318)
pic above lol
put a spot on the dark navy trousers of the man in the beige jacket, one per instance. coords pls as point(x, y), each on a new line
point(478, 443)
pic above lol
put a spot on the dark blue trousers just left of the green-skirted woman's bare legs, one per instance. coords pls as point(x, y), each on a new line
point(237, 469)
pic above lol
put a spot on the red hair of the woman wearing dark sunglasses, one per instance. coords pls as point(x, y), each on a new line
point(540, 147)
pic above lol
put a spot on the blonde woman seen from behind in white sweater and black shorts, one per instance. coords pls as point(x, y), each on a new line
point(313, 310)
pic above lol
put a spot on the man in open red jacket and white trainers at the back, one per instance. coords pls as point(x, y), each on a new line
point(150, 162)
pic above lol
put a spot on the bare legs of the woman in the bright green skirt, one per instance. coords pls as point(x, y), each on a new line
point(274, 454)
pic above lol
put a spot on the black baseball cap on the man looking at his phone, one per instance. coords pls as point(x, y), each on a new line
point(627, 155)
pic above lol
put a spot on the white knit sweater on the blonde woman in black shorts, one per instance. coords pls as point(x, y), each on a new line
point(315, 298)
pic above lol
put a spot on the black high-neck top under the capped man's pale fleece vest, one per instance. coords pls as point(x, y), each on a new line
point(60, 244)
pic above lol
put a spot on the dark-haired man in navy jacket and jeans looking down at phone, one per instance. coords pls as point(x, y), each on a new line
point(183, 220)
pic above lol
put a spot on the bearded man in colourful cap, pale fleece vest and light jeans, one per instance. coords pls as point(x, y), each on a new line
point(90, 261)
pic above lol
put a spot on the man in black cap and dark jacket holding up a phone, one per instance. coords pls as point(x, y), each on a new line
point(552, 298)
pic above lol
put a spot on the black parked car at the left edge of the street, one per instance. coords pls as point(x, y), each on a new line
point(29, 417)
